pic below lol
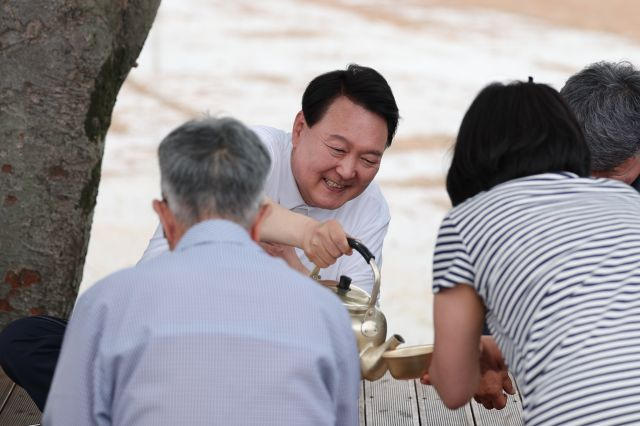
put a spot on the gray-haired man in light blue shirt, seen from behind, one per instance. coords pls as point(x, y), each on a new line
point(215, 331)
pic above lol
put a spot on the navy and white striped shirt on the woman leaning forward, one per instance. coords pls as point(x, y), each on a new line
point(556, 260)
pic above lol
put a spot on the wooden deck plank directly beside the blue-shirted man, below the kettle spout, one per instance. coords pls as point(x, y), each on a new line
point(390, 402)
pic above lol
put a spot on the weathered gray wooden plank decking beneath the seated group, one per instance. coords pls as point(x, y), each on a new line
point(385, 402)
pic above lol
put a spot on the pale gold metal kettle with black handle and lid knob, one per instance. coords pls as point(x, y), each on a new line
point(367, 321)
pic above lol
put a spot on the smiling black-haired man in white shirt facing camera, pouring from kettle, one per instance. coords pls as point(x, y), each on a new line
point(324, 169)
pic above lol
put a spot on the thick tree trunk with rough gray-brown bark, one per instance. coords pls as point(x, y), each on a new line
point(62, 63)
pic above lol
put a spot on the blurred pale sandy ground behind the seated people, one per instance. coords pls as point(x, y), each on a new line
point(252, 60)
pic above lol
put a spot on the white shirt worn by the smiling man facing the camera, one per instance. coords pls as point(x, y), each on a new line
point(366, 217)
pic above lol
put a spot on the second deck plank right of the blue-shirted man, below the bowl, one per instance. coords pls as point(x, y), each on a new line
point(434, 412)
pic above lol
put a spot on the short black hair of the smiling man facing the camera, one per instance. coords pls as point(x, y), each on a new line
point(362, 85)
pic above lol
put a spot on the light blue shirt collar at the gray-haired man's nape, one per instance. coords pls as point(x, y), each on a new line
point(213, 231)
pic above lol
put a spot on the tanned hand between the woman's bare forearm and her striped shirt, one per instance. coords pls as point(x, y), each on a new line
point(494, 380)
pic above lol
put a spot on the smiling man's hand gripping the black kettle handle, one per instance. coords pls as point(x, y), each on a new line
point(325, 242)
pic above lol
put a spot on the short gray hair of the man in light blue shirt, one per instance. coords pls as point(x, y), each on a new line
point(213, 167)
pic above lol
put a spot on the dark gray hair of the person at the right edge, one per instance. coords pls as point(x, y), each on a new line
point(605, 97)
